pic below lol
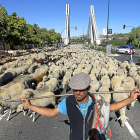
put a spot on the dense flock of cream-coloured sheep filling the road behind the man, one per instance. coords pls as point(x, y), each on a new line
point(43, 72)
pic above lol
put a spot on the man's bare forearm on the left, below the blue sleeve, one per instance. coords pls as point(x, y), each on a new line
point(43, 111)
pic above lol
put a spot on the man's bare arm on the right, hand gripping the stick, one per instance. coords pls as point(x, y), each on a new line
point(121, 104)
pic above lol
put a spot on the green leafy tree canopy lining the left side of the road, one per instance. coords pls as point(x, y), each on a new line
point(15, 30)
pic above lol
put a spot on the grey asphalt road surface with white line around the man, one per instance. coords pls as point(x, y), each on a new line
point(21, 127)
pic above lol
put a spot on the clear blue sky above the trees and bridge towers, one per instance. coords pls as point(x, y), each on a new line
point(51, 14)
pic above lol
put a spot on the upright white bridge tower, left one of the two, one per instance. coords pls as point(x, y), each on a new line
point(67, 26)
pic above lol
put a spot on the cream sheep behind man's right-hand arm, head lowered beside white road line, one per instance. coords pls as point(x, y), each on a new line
point(119, 97)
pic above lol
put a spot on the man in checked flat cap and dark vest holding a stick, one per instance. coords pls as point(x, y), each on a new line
point(80, 107)
